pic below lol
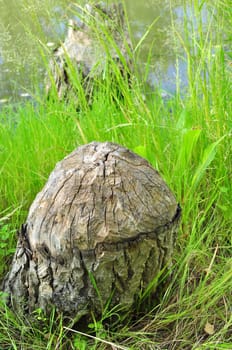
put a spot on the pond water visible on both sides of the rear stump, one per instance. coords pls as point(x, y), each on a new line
point(29, 26)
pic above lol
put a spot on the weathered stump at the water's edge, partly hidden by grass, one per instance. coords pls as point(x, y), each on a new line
point(93, 40)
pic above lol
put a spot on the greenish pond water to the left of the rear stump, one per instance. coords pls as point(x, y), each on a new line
point(23, 25)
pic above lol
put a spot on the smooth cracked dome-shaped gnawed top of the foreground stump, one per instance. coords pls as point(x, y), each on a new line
point(100, 195)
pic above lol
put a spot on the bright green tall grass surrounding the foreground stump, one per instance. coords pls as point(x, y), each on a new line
point(188, 139)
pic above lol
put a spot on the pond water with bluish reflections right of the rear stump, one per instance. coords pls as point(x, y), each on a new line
point(160, 44)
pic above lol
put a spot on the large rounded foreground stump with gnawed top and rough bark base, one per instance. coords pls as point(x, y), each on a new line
point(102, 227)
